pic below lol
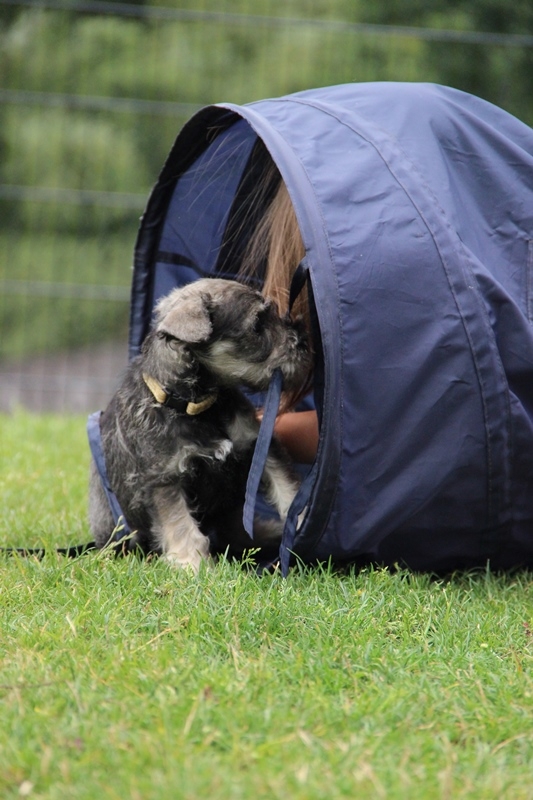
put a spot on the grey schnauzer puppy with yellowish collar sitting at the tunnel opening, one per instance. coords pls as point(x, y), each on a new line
point(178, 435)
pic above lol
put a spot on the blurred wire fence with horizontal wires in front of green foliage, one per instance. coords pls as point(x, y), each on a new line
point(92, 96)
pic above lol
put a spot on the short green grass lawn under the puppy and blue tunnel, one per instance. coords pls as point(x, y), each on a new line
point(126, 679)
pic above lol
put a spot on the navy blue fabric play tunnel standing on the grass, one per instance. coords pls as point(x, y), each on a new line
point(415, 204)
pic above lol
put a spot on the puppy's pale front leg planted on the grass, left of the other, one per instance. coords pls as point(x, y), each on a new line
point(178, 534)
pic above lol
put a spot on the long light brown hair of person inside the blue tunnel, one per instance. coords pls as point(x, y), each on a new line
point(276, 248)
